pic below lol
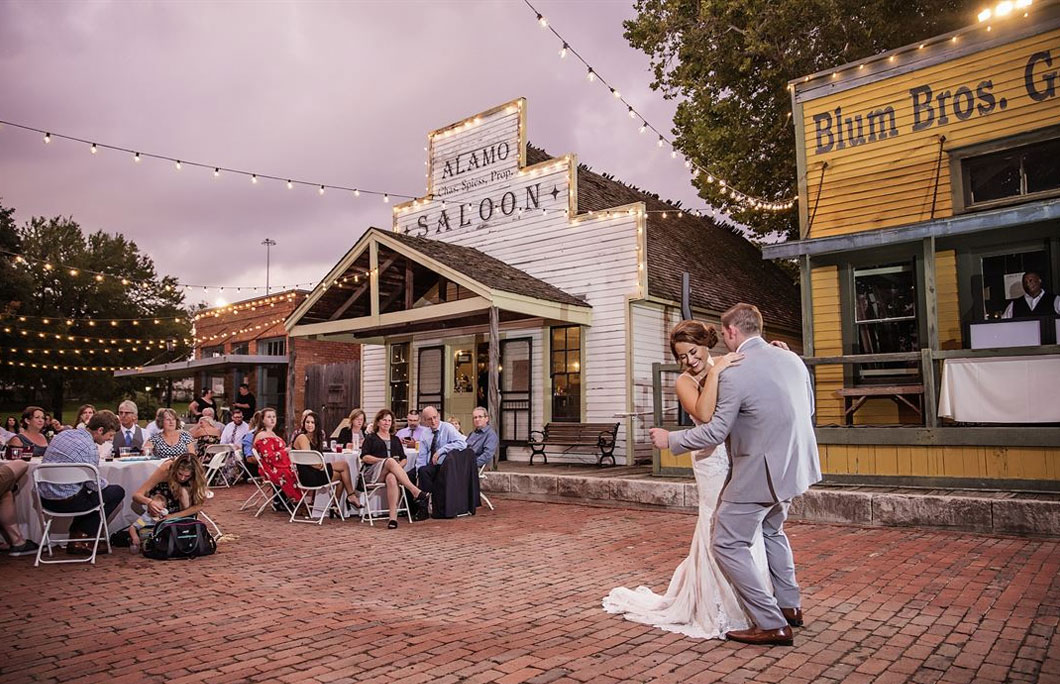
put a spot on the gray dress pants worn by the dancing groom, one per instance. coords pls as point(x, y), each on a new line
point(735, 530)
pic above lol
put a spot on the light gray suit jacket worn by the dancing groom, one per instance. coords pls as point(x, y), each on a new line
point(766, 409)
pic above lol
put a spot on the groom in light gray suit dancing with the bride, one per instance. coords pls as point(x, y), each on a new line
point(765, 407)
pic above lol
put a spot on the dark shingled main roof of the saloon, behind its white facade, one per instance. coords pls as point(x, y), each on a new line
point(723, 267)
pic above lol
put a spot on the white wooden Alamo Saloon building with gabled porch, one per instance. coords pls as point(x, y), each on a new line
point(579, 275)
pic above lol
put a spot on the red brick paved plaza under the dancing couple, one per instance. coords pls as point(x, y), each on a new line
point(515, 597)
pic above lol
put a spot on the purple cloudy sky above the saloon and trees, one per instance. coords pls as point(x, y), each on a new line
point(337, 93)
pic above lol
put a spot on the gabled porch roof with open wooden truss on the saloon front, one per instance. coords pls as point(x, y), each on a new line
point(393, 284)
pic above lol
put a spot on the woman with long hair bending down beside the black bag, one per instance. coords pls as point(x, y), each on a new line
point(176, 489)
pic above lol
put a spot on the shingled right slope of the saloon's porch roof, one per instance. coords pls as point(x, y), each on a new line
point(488, 271)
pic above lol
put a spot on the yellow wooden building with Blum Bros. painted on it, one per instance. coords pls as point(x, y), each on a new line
point(929, 192)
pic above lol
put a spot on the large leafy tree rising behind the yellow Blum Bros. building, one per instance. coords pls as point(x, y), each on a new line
point(731, 61)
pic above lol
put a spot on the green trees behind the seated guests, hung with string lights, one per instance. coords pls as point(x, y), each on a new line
point(58, 284)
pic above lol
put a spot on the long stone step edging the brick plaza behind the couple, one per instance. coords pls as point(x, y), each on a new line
point(1036, 515)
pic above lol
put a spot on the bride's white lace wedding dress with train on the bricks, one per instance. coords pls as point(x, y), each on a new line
point(700, 602)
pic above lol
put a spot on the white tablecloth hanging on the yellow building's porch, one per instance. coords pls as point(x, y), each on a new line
point(1006, 390)
